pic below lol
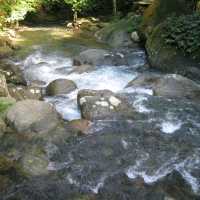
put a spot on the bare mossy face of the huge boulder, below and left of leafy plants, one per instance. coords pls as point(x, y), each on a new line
point(170, 59)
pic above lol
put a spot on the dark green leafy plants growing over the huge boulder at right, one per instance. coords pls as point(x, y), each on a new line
point(183, 33)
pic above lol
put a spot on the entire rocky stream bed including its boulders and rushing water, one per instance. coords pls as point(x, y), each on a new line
point(81, 120)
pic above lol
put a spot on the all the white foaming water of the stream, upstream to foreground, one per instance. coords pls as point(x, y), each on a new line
point(48, 67)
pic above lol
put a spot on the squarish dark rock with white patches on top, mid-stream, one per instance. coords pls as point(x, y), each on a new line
point(103, 104)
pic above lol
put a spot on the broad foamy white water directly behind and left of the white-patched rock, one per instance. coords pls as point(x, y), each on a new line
point(47, 68)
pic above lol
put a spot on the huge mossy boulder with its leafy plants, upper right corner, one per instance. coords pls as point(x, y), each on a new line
point(159, 31)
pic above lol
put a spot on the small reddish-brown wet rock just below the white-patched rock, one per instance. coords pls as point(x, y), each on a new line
point(79, 126)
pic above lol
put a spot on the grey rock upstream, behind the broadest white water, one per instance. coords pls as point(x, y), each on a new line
point(91, 57)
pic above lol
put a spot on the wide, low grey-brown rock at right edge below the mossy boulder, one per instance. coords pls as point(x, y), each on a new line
point(170, 85)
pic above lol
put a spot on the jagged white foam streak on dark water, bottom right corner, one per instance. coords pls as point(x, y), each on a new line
point(185, 168)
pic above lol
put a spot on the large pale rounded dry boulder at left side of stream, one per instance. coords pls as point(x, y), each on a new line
point(32, 116)
